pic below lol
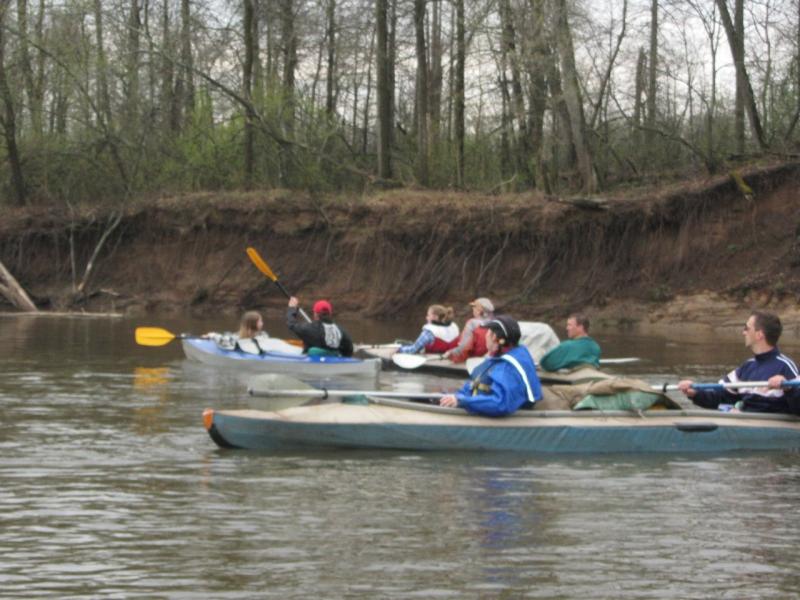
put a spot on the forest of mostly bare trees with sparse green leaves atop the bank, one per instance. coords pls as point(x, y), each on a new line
point(107, 102)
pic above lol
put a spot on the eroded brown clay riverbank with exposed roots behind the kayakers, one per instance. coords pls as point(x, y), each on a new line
point(685, 255)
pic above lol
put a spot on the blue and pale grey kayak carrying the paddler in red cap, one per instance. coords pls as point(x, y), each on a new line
point(290, 362)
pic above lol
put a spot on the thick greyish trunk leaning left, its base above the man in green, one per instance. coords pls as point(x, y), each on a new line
point(572, 97)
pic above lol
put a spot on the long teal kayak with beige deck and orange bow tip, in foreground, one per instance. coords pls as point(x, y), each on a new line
point(399, 424)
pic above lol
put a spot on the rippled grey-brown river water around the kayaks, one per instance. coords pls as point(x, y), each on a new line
point(111, 488)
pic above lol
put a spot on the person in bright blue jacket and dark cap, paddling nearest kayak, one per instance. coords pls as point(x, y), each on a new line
point(505, 382)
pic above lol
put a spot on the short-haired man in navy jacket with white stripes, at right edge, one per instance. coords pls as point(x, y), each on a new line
point(761, 334)
